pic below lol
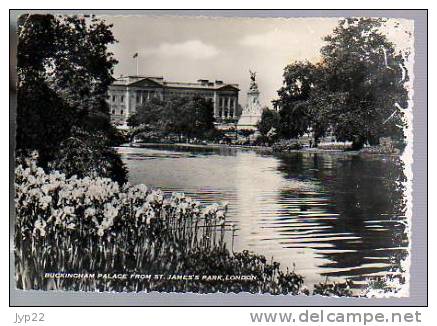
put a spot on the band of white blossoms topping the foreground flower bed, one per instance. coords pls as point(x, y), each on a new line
point(49, 203)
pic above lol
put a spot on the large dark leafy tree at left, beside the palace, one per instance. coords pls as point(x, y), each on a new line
point(64, 70)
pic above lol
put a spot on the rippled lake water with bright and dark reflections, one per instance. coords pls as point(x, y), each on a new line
point(334, 215)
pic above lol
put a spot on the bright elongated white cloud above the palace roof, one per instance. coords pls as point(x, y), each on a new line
point(194, 49)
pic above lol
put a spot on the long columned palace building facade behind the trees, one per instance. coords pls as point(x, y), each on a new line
point(128, 93)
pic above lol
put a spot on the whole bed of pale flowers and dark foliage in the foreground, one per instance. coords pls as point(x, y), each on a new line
point(92, 225)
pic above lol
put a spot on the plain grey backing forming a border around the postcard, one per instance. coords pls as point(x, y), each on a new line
point(419, 237)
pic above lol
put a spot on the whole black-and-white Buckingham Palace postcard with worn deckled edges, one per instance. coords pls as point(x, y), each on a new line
point(210, 154)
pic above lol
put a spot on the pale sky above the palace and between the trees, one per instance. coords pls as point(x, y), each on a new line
point(190, 48)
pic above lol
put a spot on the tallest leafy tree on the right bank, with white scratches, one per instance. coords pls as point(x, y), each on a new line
point(363, 71)
